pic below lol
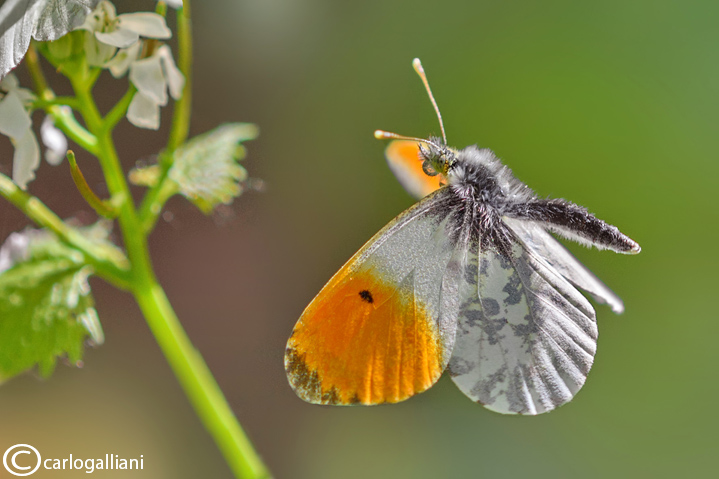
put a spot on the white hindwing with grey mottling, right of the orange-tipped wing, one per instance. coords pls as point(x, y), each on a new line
point(526, 337)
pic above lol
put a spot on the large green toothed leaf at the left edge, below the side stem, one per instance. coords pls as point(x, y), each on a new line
point(46, 308)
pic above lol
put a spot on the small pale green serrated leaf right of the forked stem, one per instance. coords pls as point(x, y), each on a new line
point(205, 169)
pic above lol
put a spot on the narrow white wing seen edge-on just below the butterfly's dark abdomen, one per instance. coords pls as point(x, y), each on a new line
point(535, 237)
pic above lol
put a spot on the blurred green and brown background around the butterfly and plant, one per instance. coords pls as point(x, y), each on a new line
point(611, 104)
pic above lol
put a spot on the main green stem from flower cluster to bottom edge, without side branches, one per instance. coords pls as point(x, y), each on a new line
point(189, 367)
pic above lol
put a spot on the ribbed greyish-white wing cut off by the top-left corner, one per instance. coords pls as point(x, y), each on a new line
point(43, 20)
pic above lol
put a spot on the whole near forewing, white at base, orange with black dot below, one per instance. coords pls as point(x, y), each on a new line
point(383, 327)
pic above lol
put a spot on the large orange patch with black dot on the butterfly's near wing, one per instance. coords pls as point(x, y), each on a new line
point(363, 341)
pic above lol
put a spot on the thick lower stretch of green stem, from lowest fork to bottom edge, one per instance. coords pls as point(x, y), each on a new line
point(199, 384)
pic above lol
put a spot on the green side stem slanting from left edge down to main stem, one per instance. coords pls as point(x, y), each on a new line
point(109, 263)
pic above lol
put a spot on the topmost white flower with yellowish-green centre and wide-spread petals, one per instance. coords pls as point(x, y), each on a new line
point(109, 31)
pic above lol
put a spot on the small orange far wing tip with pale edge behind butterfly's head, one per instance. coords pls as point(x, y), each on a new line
point(404, 161)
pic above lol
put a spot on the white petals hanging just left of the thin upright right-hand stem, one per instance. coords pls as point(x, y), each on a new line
point(153, 76)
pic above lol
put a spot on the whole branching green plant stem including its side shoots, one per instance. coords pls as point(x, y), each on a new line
point(186, 362)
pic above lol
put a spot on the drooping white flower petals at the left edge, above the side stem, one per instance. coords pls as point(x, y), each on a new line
point(16, 124)
